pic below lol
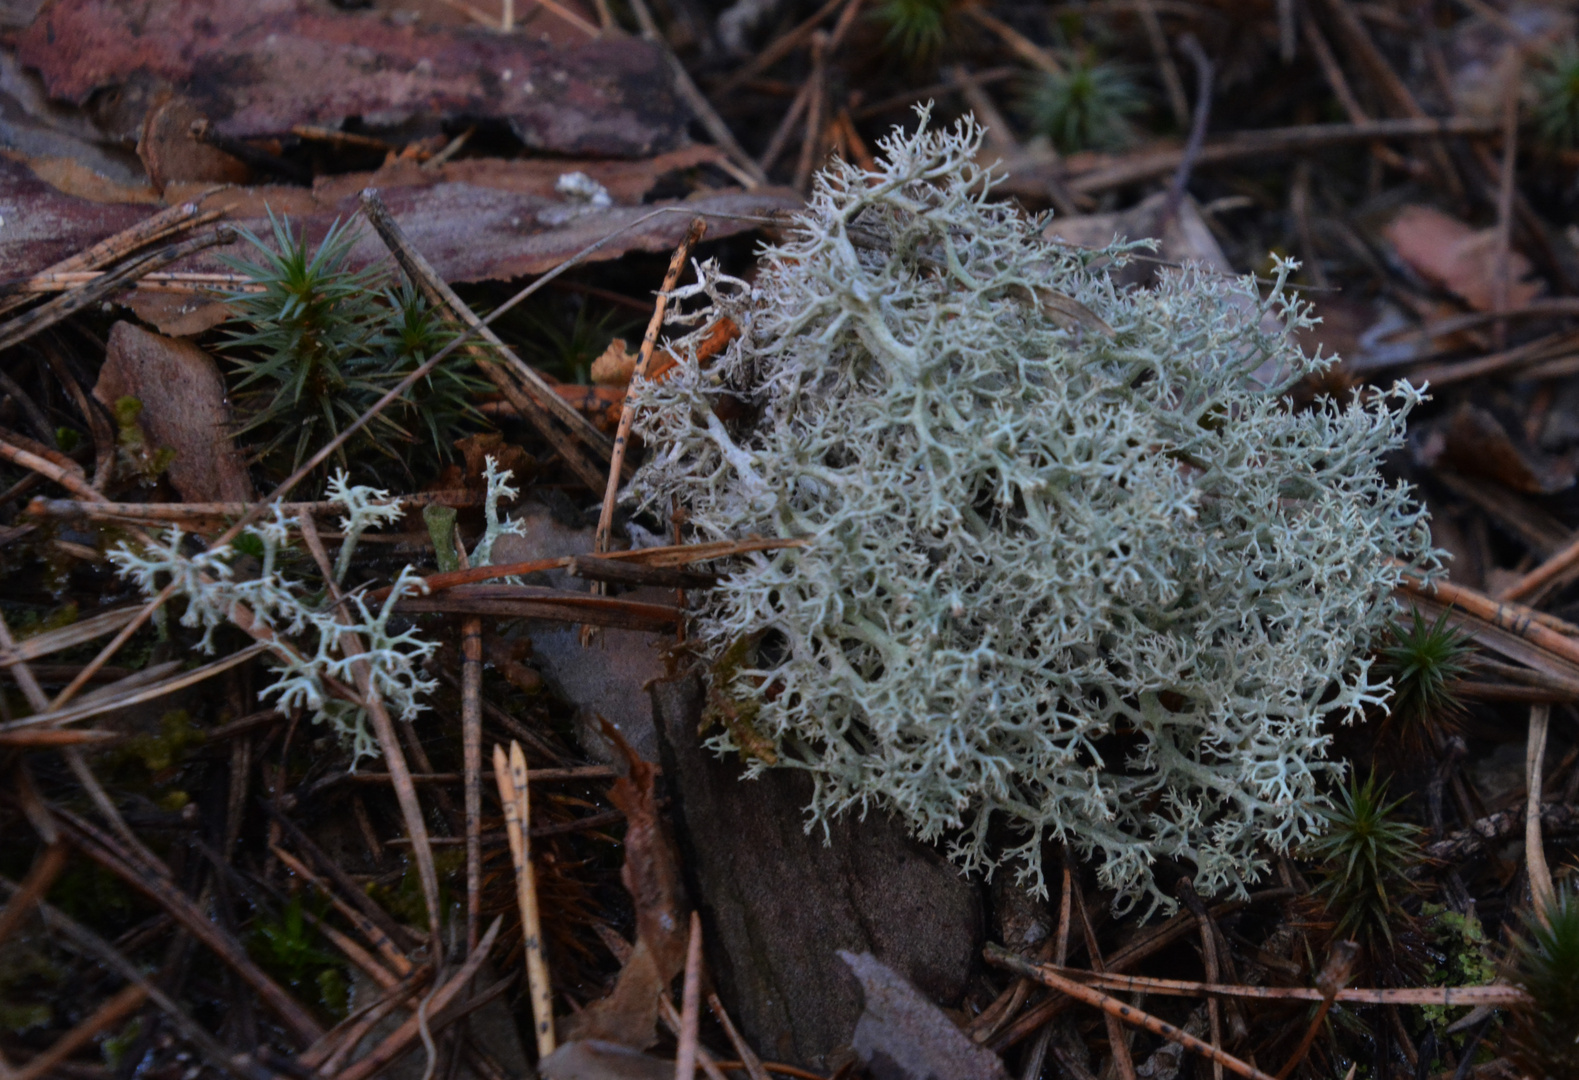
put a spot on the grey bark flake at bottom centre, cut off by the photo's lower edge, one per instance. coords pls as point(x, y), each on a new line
point(902, 1037)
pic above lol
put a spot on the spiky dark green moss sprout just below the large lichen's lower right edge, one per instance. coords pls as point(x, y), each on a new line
point(1367, 858)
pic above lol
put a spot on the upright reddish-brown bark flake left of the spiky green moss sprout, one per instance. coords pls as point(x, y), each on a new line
point(182, 397)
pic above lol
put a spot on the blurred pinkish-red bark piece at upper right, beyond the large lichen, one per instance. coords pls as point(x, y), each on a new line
point(1457, 258)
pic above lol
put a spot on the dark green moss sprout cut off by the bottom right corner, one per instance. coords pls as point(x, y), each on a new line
point(1545, 962)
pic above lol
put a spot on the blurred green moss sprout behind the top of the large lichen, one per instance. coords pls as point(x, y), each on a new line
point(1084, 108)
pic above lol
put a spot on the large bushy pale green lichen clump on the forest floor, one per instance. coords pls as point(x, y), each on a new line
point(1075, 571)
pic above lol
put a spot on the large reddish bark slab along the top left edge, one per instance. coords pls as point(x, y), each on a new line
point(261, 67)
